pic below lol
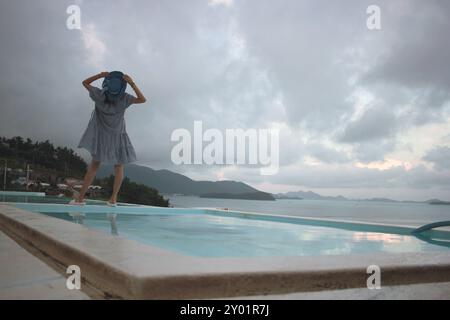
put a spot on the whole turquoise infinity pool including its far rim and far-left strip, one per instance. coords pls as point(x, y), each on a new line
point(213, 233)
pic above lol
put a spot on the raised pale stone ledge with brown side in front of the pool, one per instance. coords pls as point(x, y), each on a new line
point(126, 269)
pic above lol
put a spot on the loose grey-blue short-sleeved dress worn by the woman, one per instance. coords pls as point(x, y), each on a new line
point(105, 136)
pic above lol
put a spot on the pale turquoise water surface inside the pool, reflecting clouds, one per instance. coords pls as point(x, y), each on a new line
point(211, 235)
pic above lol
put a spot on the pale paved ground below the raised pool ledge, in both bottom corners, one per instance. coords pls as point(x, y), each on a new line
point(24, 276)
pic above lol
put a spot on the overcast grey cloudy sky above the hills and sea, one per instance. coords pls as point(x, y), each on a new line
point(362, 113)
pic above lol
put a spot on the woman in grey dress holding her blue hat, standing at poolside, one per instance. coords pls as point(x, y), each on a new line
point(105, 136)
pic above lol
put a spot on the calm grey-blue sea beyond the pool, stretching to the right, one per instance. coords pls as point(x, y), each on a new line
point(399, 213)
